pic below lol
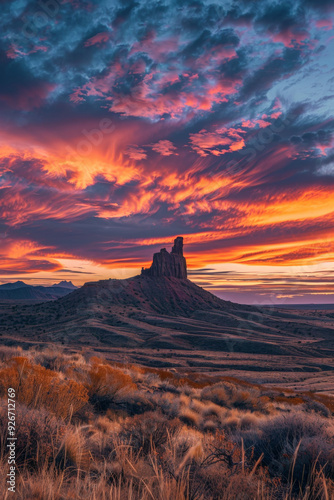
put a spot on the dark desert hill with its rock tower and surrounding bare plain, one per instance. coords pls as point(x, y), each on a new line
point(161, 318)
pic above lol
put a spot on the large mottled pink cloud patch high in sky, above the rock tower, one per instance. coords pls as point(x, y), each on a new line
point(154, 96)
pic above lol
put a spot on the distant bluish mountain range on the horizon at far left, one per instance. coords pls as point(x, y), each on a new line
point(21, 291)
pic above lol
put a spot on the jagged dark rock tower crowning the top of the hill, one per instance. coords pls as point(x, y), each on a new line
point(168, 264)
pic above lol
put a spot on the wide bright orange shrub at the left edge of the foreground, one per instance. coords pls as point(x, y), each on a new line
point(38, 387)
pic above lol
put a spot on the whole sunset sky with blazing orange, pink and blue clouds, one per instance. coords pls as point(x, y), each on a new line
point(124, 124)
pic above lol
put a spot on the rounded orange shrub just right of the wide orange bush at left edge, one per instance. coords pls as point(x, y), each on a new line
point(107, 385)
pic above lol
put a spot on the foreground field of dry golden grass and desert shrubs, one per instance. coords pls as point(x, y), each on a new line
point(87, 429)
